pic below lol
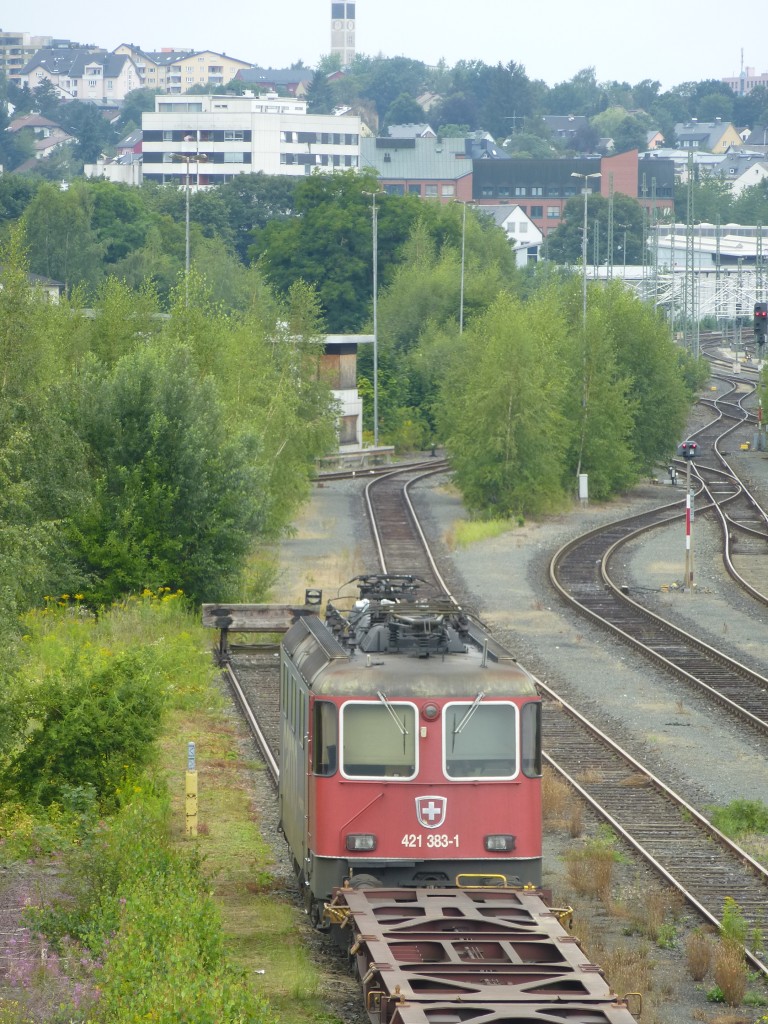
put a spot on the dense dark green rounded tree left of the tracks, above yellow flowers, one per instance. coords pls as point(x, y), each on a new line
point(177, 495)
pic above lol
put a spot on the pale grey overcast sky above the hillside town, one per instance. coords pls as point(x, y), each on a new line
point(669, 41)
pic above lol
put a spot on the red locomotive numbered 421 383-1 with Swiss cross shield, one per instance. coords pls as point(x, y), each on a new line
point(410, 751)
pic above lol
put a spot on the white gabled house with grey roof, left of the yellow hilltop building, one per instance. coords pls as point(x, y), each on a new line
point(82, 74)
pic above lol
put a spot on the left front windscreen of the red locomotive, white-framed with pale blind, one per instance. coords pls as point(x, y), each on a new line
point(378, 740)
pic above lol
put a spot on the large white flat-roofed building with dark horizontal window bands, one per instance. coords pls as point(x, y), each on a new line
point(209, 140)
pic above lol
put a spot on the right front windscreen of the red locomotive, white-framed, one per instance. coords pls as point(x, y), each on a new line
point(481, 740)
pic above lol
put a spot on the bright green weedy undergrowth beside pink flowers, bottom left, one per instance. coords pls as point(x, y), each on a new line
point(140, 915)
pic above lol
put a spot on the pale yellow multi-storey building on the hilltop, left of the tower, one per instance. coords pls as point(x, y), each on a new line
point(178, 71)
